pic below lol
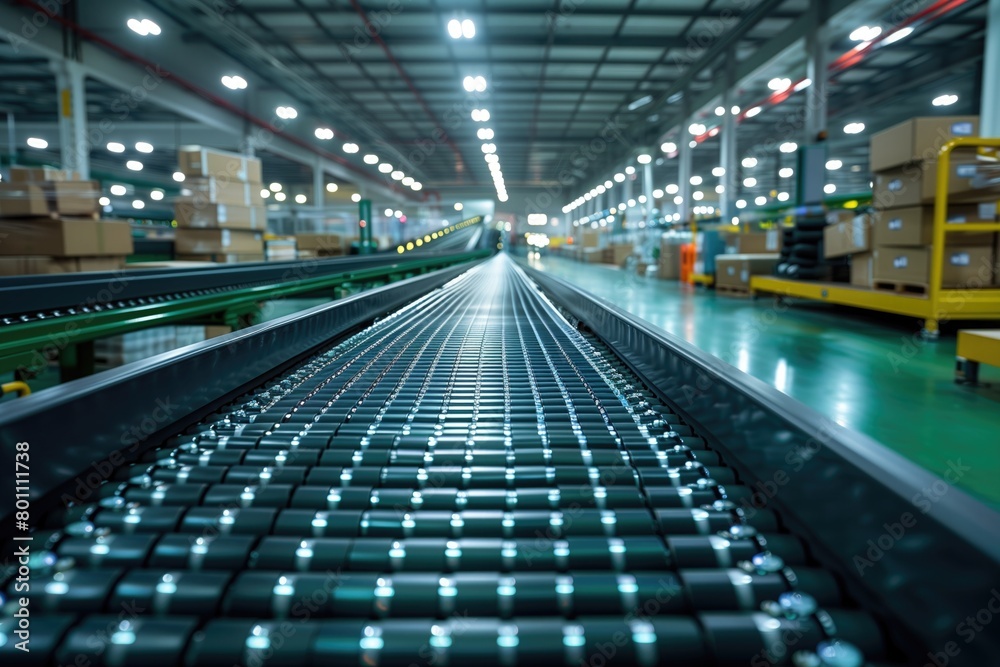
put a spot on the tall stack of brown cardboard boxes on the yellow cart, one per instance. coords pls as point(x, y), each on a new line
point(904, 161)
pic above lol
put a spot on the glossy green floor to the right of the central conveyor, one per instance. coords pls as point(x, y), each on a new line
point(868, 372)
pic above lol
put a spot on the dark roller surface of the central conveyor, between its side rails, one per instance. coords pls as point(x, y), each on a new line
point(470, 481)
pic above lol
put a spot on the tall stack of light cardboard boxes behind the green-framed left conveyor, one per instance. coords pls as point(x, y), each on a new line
point(220, 213)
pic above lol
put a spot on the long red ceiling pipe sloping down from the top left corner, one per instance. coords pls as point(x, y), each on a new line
point(214, 99)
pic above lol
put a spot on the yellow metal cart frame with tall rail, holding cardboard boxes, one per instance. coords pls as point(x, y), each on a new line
point(939, 304)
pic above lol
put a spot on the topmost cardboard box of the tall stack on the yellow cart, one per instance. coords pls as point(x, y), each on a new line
point(918, 139)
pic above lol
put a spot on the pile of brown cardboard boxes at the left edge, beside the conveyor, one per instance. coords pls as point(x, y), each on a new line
point(49, 223)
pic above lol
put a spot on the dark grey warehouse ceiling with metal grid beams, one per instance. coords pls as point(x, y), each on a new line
point(386, 75)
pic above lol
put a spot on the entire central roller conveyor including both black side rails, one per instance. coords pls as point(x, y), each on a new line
point(471, 480)
